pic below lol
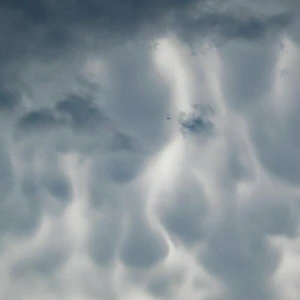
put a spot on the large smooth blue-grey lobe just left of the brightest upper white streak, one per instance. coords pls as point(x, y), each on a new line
point(139, 100)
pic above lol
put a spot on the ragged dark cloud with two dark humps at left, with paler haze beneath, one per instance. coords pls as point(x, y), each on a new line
point(73, 123)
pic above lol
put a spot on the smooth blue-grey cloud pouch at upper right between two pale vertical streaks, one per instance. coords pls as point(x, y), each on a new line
point(249, 72)
